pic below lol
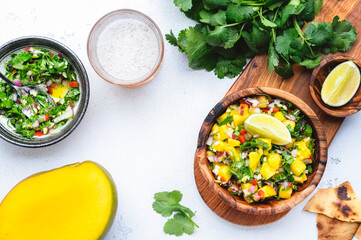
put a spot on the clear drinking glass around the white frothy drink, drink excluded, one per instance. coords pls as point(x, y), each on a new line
point(93, 41)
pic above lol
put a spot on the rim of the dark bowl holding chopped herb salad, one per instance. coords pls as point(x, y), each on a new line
point(85, 88)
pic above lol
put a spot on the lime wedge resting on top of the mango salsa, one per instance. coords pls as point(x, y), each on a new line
point(268, 127)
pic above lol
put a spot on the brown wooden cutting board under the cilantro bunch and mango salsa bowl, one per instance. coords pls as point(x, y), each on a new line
point(256, 74)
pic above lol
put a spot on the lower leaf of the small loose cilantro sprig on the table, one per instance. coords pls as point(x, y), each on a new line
point(178, 225)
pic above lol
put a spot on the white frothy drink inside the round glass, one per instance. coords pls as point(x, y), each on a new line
point(127, 49)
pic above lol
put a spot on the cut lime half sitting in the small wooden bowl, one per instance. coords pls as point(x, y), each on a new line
point(341, 84)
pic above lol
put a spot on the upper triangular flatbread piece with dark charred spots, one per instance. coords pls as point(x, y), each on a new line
point(340, 202)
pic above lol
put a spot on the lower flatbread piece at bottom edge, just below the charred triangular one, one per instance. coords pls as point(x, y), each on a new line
point(333, 229)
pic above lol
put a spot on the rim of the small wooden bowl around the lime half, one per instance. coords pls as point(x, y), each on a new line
point(343, 111)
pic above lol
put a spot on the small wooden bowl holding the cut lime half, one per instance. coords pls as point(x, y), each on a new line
point(319, 75)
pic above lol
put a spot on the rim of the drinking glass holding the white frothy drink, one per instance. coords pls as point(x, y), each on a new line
point(135, 82)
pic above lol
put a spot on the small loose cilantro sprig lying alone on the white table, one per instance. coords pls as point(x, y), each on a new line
point(167, 203)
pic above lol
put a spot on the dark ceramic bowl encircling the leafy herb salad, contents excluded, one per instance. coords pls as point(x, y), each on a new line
point(47, 43)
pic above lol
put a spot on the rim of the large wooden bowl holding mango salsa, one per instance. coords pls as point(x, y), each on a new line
point(275, 206)
